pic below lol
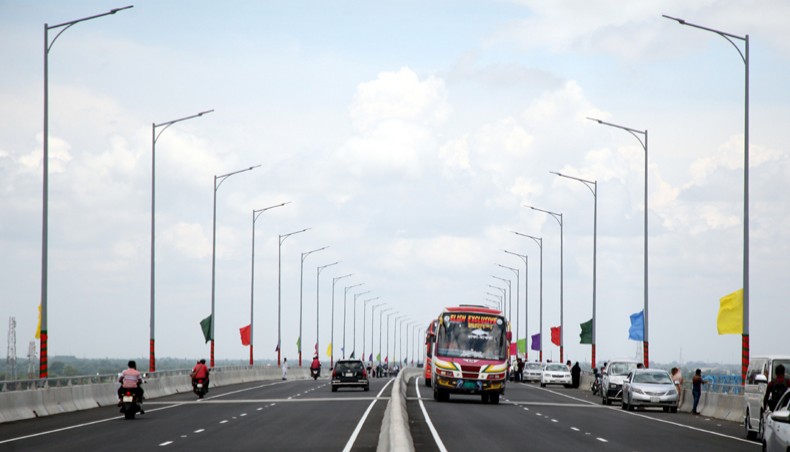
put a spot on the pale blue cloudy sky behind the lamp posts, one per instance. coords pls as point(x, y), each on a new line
point(408, 137)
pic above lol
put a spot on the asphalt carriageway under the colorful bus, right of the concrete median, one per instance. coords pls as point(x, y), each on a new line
point(559, 419)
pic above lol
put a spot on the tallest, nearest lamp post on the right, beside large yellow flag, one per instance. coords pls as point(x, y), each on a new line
point(745, 57)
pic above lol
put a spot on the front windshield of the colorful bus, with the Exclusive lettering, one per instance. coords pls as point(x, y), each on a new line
point(466, 335)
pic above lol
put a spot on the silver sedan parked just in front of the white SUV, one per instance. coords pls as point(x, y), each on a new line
point(650, 388)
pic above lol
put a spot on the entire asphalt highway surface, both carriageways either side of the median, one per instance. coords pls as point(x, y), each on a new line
point(304, 415)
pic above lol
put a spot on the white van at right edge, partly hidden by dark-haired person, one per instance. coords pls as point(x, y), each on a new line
point(761, 370)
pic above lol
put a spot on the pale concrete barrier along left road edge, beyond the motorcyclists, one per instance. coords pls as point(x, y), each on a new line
point(59, 396)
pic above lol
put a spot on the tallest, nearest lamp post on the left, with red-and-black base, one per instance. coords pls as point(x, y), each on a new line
point(43, 370)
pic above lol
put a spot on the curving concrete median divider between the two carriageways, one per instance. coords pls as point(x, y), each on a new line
point(395, 434)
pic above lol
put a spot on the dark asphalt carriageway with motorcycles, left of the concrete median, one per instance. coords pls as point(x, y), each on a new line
point(275, 415)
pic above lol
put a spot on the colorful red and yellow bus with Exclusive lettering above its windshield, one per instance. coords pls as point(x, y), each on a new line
point(470, 353)
